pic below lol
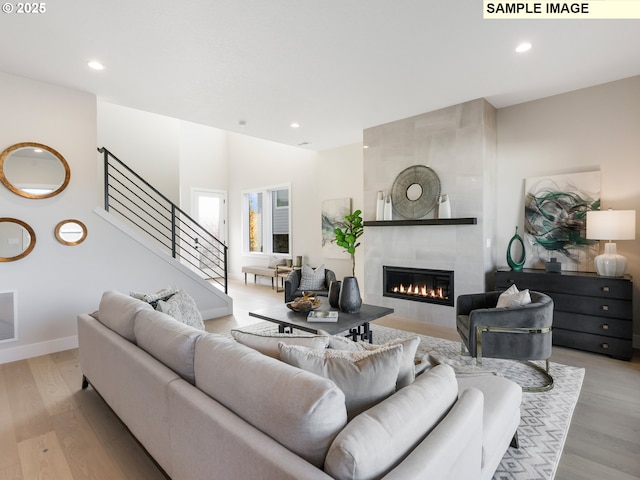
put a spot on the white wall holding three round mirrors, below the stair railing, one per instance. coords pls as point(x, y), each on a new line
point(56, 282)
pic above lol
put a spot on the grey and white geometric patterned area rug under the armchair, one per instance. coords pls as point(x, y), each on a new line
point(544, 417)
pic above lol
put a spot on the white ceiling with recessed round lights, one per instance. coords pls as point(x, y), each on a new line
point(334, 66)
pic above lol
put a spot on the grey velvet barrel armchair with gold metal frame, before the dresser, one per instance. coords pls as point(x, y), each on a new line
point(521, 332)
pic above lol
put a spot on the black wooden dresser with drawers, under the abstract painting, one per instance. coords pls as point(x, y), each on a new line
point(591, 313)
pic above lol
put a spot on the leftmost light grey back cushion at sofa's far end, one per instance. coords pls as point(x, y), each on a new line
point(117, 311)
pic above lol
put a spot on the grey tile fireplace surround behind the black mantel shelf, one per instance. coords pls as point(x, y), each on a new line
point(459, 144)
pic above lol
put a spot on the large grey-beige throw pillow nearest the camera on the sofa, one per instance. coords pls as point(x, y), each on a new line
point(365, 377)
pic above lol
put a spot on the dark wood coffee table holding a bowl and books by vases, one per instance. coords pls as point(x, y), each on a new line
point(357, 324)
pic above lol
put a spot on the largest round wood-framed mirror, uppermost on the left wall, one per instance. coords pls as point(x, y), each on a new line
point(33, 170)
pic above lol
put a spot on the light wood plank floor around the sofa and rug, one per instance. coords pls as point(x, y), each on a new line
point(51, 429)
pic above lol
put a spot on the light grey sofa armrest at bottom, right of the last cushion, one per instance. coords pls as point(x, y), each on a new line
point(453, 450)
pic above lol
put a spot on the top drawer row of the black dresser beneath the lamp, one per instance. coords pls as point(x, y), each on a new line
point(569, 283)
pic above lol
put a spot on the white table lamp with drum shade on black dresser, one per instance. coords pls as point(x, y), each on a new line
point(611, 225)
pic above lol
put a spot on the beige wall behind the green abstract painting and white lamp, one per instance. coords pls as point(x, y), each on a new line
point(596, 128)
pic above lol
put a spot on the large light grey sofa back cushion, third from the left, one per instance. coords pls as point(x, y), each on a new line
point(301, 411)
